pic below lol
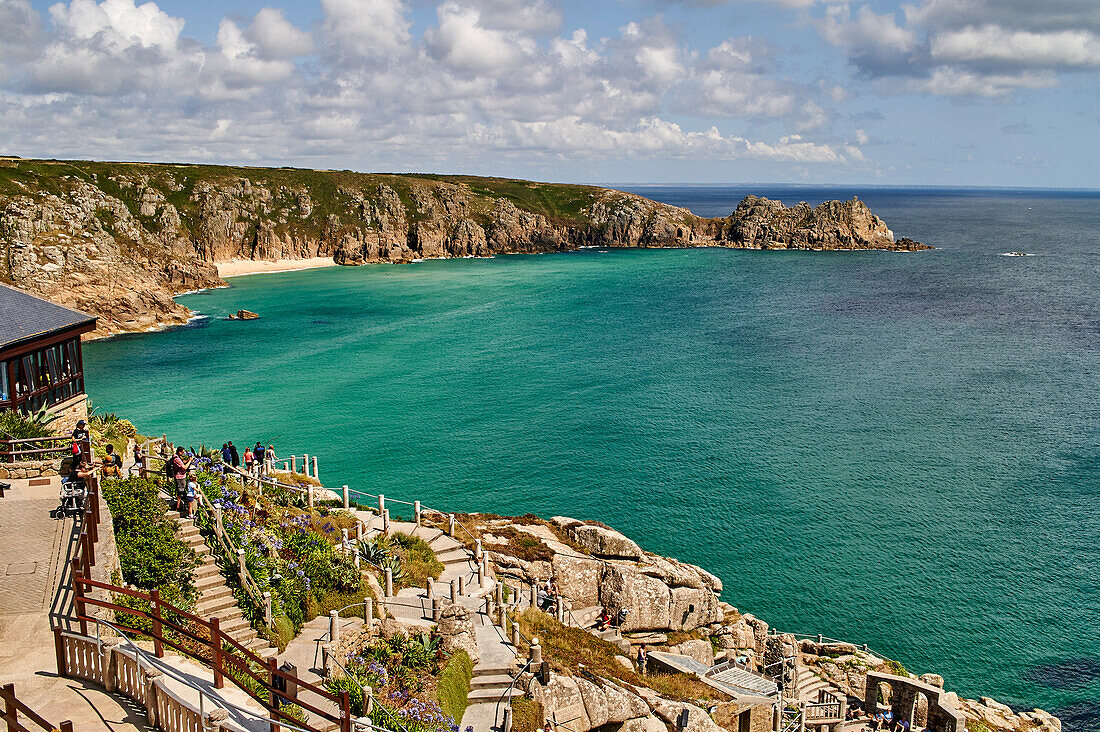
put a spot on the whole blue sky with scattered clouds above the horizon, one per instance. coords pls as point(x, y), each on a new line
point(952, 93)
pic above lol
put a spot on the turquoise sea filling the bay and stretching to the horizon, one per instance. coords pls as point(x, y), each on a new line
point(898, 450)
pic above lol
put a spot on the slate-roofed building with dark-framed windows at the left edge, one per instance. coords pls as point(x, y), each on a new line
point(41, 366)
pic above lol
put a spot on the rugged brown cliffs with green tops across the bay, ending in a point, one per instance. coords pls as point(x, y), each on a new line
point(119, 241)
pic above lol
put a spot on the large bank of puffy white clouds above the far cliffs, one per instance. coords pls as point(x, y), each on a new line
point(119, 80)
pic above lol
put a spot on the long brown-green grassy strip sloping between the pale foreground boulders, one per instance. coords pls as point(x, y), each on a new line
point(567, 648)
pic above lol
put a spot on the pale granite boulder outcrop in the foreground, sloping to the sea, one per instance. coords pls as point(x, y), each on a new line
point(676, 610)
